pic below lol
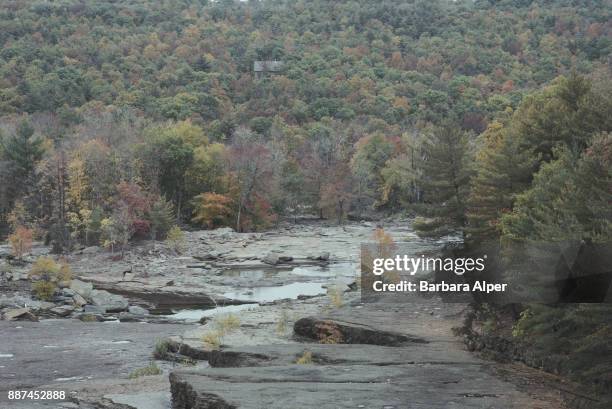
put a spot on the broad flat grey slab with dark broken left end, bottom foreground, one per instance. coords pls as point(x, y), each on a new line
point(333, 387)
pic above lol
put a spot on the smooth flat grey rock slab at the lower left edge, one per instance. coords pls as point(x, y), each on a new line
point(64, 351)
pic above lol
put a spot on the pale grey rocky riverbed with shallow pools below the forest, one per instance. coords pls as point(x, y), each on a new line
point(302, 338)
